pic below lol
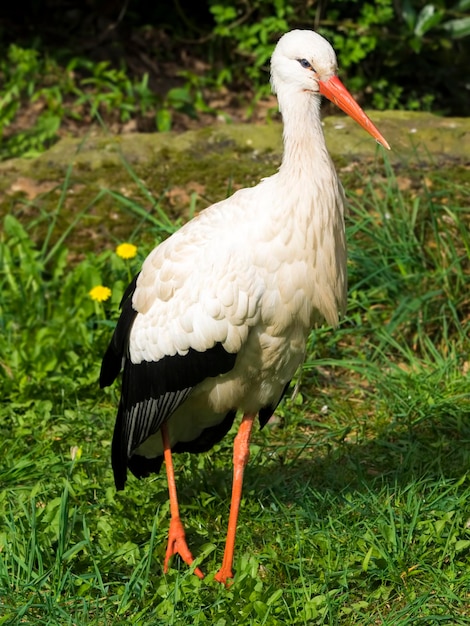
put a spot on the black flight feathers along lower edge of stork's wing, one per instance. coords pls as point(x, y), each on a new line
point(151, 390)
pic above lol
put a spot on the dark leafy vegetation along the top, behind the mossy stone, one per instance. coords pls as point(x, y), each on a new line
point(151, 66)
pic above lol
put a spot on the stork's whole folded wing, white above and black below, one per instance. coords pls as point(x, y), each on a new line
point(184, 318)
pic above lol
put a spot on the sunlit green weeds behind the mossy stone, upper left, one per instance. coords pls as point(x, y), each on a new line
point(78, 92)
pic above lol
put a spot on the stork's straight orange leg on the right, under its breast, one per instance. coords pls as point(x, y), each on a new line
point(241, 453)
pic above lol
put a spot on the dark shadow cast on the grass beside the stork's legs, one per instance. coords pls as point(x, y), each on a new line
point(428, 456)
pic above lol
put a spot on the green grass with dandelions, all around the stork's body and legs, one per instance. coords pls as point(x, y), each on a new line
point(356, 500)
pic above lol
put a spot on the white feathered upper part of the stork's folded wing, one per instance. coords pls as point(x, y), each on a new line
point(200, 287)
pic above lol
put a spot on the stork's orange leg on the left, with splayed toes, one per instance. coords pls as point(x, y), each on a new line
point(176, 536)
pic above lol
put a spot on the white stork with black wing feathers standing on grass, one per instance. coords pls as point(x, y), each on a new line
point(217, 320)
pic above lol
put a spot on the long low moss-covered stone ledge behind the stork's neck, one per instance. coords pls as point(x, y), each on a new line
point(76, 176)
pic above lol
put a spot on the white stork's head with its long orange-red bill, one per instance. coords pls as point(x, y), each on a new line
point(304, 62)
